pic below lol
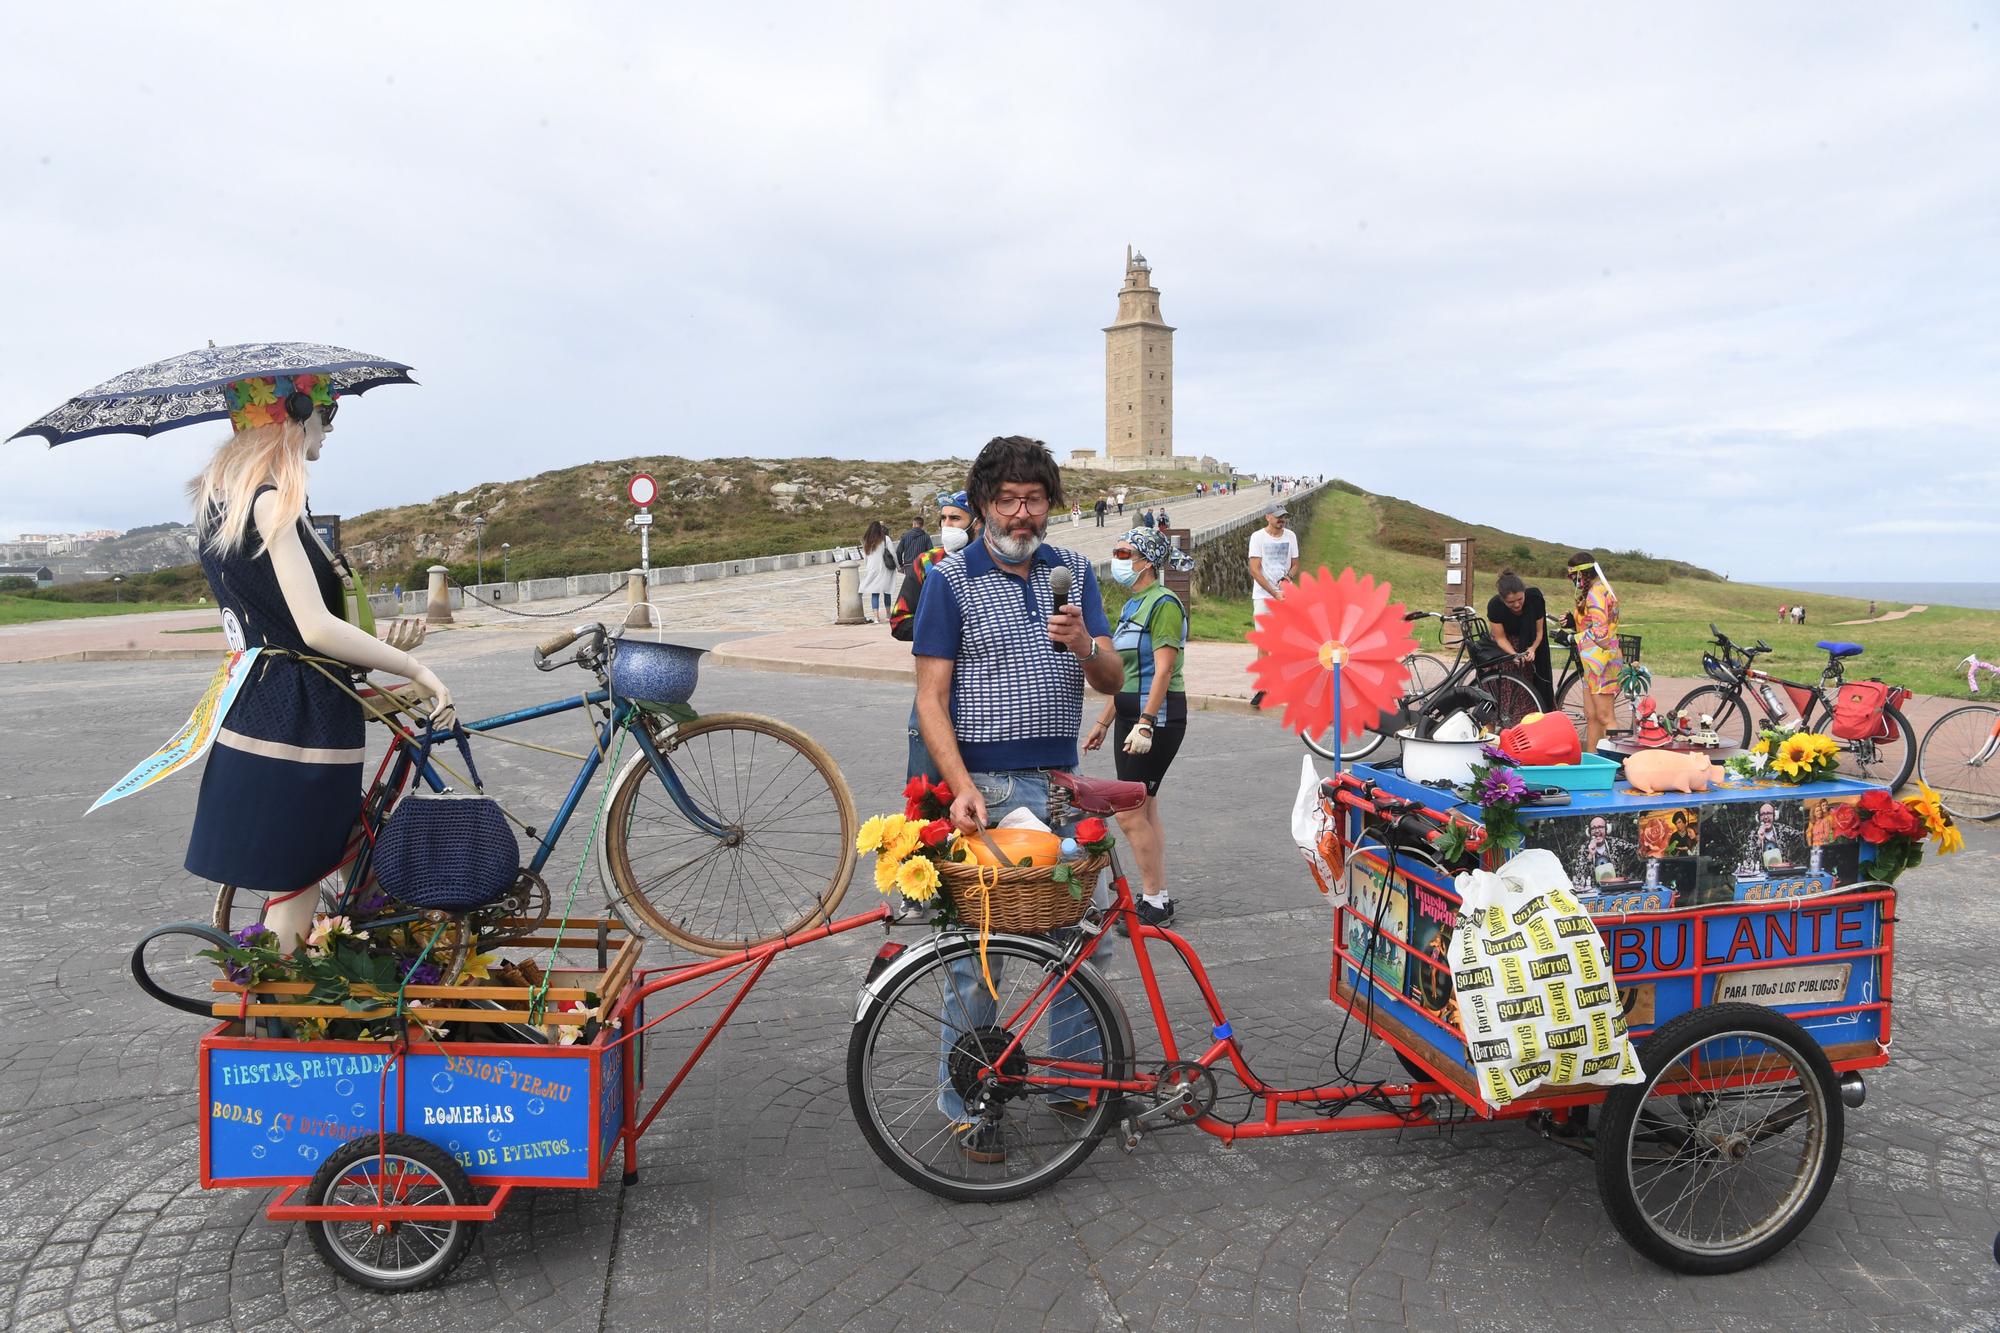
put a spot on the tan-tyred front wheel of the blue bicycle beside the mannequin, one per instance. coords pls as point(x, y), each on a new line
point(781, 860)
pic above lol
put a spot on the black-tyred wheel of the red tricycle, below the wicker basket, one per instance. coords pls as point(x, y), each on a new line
point(923, 1104)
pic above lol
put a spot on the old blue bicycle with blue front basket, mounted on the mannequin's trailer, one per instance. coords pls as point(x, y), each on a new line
point(721, 834)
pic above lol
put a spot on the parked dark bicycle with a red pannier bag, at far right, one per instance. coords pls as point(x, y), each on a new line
point(1885, 754)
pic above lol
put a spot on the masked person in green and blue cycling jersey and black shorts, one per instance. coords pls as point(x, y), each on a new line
point(1151, 710)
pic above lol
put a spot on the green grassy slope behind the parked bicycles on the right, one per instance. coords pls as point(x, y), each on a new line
point(1665, 601)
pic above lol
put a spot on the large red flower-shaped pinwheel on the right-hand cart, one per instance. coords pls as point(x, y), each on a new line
point(1333, 629)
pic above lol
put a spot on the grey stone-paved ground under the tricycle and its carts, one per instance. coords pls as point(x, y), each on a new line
point(761, 1208)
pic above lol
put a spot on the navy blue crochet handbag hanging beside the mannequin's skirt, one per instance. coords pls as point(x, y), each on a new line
point(447, 852)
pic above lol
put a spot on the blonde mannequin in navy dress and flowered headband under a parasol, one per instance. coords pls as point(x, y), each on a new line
point(283, 782)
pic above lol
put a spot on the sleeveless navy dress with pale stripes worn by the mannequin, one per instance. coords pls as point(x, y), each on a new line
point(285, 778)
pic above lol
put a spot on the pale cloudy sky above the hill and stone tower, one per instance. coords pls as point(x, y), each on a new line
point(1713, 281)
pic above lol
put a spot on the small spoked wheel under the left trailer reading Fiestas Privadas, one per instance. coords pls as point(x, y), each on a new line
point(399, 1256)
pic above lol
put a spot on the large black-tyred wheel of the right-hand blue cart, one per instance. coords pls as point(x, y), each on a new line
point(1727, 1150)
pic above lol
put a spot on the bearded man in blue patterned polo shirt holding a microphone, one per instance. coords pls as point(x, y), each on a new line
point(1007, 635)
